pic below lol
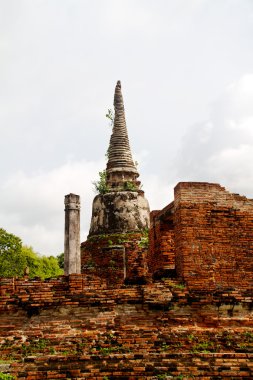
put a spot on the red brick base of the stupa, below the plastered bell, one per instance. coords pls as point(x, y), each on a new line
point(117, 258)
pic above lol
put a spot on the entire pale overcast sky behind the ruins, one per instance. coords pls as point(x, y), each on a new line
point(186, 68)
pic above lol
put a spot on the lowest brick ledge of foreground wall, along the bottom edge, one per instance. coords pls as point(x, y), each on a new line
point(138, 366)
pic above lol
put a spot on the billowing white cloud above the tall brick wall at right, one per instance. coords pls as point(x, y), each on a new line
point(221, 149)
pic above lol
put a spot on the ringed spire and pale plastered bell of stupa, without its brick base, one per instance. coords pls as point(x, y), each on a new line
point(122, 207)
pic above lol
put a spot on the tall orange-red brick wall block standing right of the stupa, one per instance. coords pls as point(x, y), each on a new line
point(213, 237)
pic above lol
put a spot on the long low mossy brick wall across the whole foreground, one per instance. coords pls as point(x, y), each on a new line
point(78, 328)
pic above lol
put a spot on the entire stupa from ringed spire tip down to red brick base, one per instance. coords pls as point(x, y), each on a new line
point(116, 248)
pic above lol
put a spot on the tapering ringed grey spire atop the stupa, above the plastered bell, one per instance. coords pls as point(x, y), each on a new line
point(120, 166)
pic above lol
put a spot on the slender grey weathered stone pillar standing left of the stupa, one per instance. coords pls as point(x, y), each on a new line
point(72, 260)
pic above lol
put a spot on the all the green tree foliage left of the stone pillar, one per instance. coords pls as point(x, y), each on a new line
point(14, 258)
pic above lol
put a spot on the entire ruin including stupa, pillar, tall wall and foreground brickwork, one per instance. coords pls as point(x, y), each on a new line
point(176, 306)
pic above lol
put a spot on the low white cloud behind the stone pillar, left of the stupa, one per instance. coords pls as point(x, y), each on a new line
point(32, 206)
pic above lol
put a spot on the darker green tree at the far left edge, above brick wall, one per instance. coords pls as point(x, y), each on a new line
point(12, 262)
